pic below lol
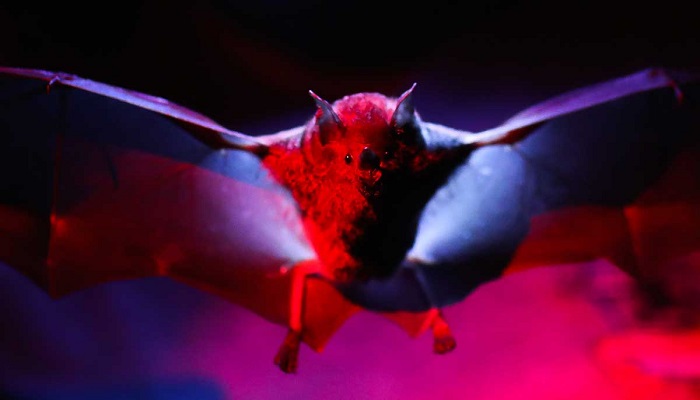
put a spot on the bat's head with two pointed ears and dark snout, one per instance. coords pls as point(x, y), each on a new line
point(366, 135)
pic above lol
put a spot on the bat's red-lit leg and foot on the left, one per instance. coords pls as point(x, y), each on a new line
point(288, 354)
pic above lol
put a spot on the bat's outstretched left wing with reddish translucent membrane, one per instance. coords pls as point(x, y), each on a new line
point(98, 183)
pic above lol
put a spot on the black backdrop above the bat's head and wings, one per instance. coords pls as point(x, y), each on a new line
point(246, 62)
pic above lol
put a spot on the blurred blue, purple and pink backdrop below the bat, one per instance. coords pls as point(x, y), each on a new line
point(567, 331)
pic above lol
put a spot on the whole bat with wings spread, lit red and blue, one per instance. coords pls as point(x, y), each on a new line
point(365, 207)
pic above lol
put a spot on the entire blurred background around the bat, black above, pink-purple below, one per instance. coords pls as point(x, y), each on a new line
point(568, 332)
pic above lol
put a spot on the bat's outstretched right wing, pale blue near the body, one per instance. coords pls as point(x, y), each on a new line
point(610, 171)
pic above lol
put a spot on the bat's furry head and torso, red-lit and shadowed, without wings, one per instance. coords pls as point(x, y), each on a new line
point(355, 165)
